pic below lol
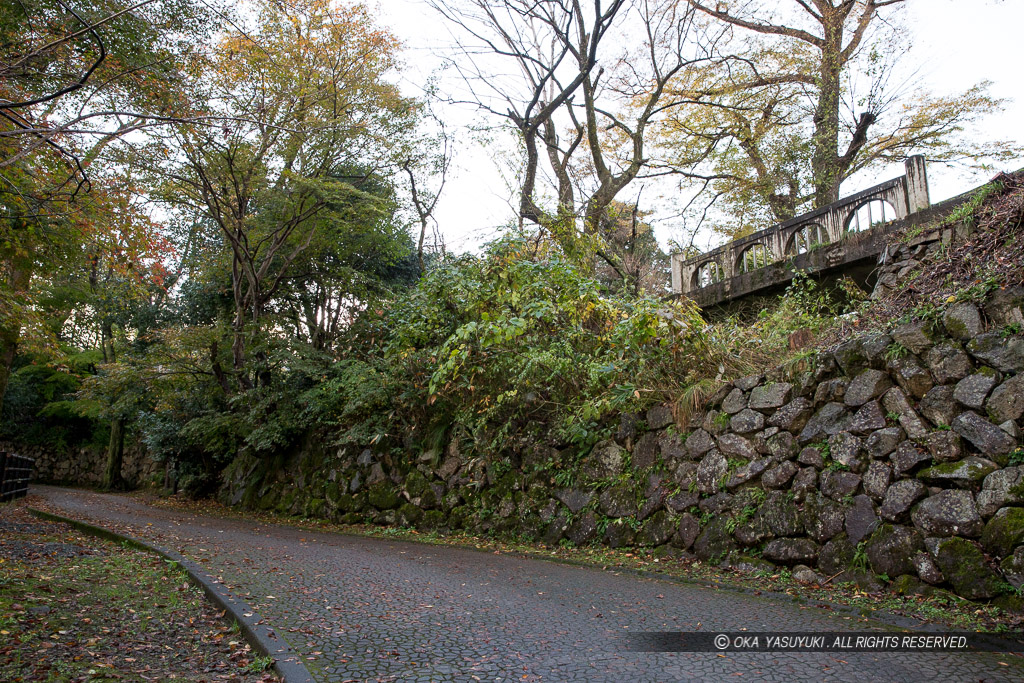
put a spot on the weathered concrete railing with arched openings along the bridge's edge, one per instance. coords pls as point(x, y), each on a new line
point(889, 201)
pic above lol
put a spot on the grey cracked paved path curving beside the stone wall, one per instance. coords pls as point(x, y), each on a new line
point(366, 610)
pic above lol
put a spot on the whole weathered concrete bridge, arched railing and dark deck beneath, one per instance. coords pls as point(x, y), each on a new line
point(846, 234)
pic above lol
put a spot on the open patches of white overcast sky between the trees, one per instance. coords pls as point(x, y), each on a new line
point(956, 44)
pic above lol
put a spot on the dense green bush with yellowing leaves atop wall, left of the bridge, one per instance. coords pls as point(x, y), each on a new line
point(517, 340)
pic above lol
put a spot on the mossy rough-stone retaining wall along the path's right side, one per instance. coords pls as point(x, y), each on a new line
point(893, 460)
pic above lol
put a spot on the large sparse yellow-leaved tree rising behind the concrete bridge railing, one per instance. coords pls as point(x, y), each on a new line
point(805, 96)
